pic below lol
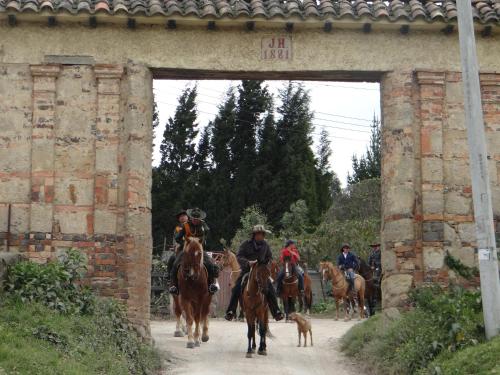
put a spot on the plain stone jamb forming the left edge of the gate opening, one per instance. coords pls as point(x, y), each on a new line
point(137, 168)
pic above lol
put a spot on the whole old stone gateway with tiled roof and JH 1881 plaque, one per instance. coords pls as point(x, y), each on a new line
point(76, 105)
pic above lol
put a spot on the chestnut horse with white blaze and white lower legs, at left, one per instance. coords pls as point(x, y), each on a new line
point(193, 291)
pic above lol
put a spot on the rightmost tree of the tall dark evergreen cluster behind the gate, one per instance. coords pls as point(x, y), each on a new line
point(297, 173)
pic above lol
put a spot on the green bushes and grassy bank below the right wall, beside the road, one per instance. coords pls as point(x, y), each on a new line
point(442, 321)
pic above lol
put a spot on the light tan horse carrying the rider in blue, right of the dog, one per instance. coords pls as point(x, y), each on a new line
point(340, 287)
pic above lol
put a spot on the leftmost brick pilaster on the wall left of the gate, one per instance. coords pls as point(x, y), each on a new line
point(42, 158)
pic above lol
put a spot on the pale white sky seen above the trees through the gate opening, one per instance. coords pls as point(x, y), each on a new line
point(344, 109)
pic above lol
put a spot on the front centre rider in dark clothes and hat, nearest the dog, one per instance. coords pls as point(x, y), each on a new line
point(256, 249)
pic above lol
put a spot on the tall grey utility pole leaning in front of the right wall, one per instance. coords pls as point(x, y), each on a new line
point(481, 191)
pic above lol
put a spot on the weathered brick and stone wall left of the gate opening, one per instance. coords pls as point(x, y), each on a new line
point(75, 168)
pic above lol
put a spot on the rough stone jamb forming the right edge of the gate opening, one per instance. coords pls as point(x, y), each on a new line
point(400, 177)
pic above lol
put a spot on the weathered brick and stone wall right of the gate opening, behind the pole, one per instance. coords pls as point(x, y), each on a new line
point(427, 193)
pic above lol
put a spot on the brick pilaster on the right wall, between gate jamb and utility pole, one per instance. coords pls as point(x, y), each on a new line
point(431, 97)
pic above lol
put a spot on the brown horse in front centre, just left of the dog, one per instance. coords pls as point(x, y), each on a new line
point(256, 306)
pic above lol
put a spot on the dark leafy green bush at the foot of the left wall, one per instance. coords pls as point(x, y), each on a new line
point(54, 284)
